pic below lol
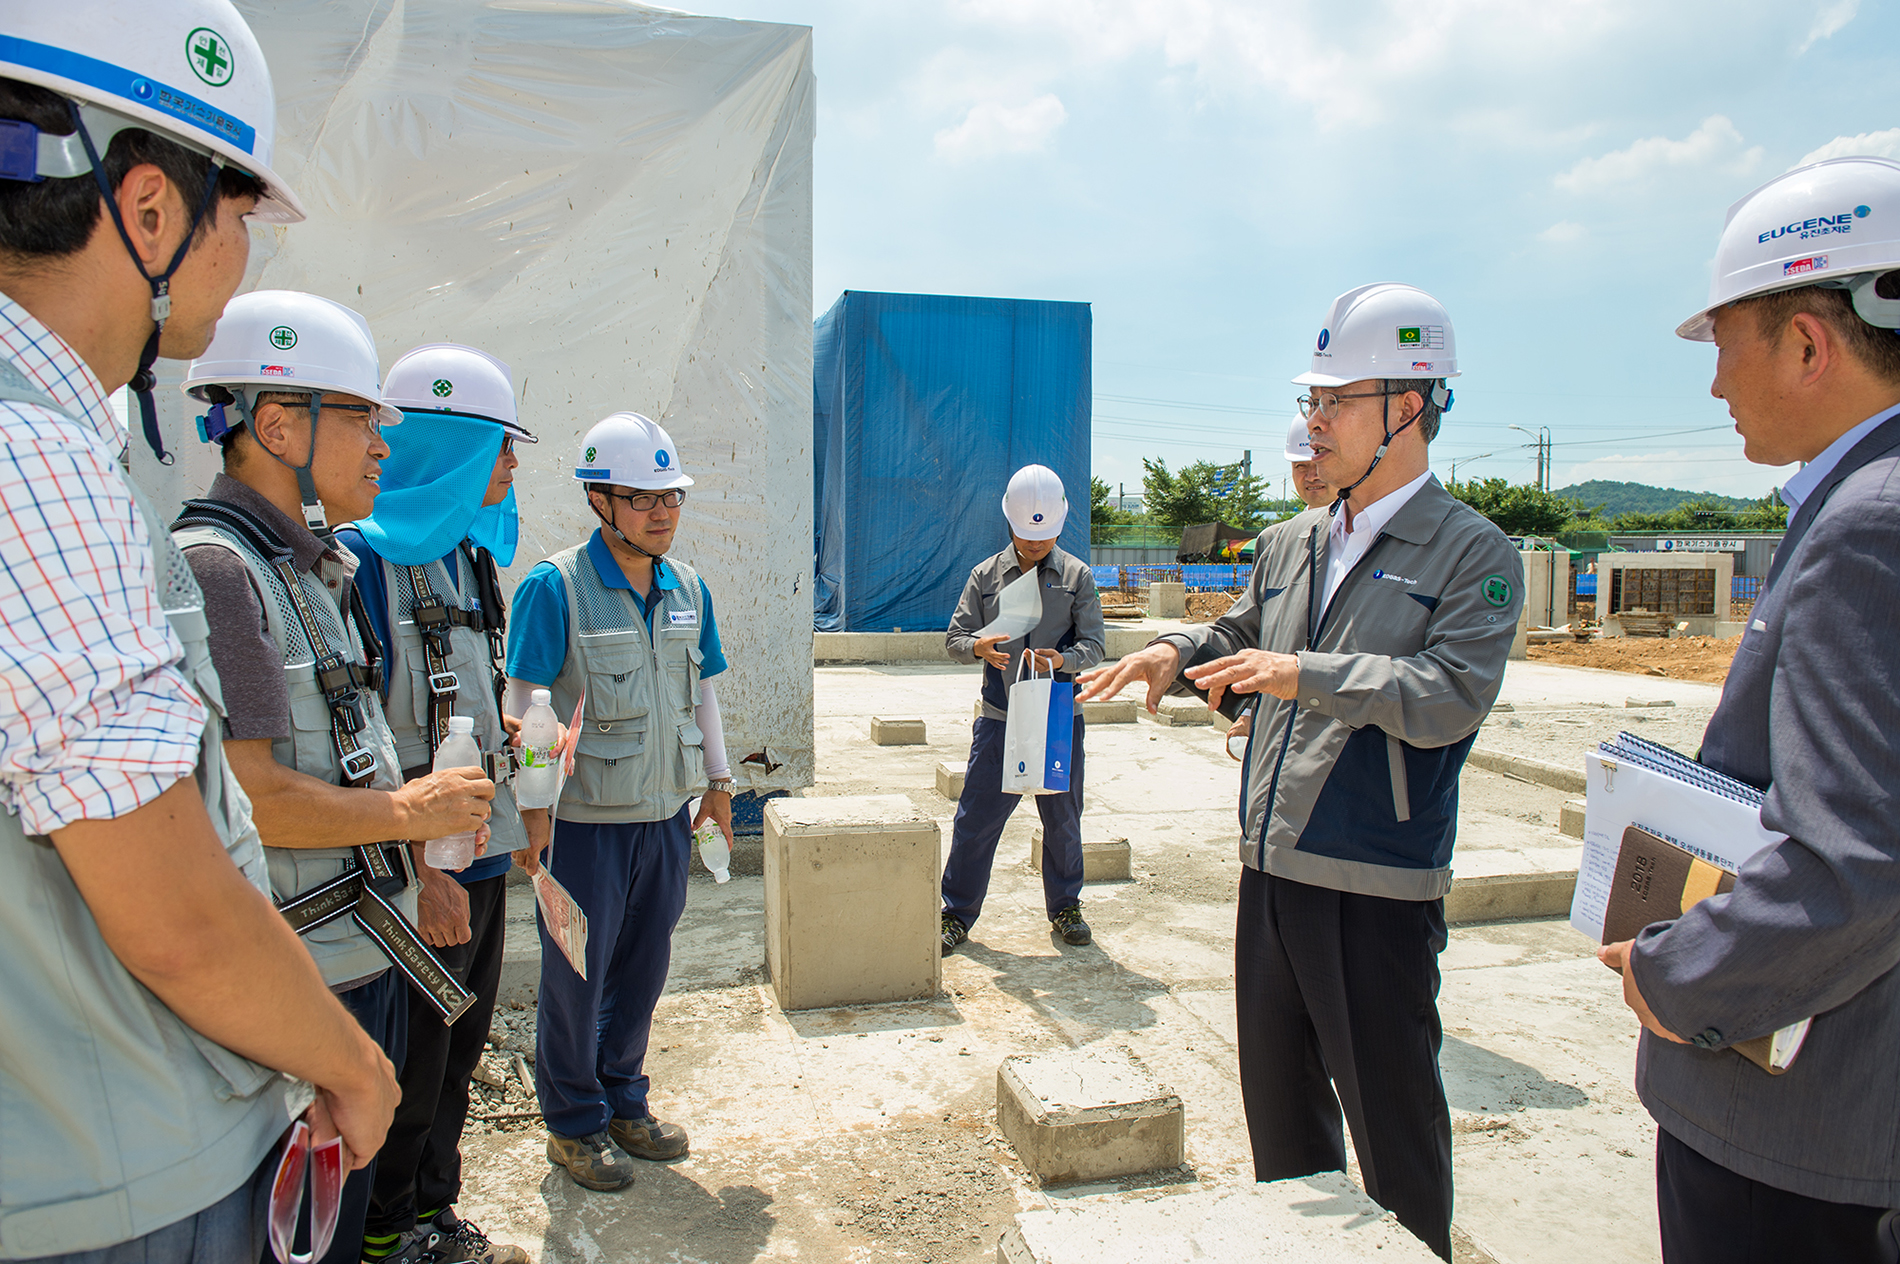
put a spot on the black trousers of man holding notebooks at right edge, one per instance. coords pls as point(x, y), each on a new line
point(1713, 1216)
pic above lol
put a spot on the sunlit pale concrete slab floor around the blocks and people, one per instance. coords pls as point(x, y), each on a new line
point(869, 1134)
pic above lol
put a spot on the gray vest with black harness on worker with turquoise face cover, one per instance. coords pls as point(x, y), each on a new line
point(430, 685)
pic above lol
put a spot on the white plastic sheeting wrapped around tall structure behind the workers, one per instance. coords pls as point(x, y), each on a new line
point(617, 201)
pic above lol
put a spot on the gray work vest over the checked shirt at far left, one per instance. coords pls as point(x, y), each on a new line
point(115, 1117)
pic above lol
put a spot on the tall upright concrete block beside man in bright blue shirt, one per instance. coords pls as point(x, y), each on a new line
point(852, 902)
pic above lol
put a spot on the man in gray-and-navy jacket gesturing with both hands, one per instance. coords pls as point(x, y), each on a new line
point(1377, 638)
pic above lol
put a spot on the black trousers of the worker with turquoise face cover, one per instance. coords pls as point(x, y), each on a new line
point(421, 1164)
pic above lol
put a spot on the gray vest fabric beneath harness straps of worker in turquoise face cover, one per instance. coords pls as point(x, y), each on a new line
point(408, 708)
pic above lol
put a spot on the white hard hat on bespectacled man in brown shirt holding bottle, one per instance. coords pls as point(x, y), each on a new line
point(288, 341)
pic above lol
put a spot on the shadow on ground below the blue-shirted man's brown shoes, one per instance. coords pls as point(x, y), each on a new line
point(666, 1216)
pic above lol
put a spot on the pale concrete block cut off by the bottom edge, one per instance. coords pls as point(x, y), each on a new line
point(1321, 1219)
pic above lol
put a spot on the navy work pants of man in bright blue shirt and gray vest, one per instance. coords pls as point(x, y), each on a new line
point(590, 1044)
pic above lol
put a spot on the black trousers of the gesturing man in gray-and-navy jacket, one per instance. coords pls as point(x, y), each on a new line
point(1339, 1008)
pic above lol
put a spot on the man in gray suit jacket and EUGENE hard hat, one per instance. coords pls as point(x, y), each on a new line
point(1806, 1164)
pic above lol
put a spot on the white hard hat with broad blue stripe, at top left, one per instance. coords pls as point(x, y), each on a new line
point(189, 71)
